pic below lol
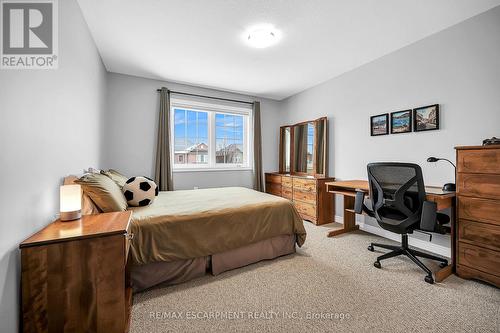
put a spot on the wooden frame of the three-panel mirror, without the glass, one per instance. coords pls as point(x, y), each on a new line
point(292, 170)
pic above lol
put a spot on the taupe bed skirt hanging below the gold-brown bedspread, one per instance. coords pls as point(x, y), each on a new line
point(146, 276)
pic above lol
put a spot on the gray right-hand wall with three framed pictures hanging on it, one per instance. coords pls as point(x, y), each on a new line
point(459, 68)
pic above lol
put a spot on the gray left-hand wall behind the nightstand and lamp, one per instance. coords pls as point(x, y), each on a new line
point(49, 127)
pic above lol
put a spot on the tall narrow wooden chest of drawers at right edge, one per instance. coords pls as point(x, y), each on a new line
point(478, 190)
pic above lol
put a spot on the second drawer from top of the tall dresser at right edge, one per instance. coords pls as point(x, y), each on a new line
point(479, 185)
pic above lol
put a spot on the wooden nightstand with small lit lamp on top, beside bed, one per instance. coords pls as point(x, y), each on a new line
point(74, 276)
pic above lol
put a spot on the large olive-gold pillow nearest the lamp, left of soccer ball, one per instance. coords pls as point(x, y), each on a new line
point(104, 192)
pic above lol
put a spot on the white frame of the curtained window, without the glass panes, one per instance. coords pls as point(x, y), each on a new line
point(212, 109)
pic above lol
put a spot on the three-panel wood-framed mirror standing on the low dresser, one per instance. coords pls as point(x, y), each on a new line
point(303, 148)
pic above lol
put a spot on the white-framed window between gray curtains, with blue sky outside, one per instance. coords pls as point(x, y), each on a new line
point(210, 136)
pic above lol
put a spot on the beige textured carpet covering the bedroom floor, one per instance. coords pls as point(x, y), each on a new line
point(329, 285)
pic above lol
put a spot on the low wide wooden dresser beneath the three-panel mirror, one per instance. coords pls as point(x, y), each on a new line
point(308, 194)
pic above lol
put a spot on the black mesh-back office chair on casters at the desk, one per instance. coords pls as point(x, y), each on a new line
point(397, 201)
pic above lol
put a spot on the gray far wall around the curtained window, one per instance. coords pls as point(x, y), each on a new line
point(130, 136)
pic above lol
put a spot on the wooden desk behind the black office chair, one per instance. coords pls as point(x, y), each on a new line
point(347, 188)
